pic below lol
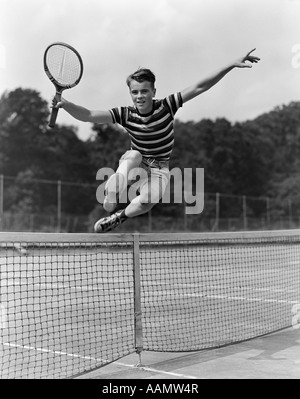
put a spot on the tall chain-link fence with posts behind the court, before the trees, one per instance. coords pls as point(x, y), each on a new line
point(28, 204)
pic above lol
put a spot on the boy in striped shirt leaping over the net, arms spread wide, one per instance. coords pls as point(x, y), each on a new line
point(149, 123)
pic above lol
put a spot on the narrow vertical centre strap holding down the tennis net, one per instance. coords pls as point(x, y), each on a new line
point(137, 297)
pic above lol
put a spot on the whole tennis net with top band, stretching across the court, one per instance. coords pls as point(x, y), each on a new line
point(71, 303)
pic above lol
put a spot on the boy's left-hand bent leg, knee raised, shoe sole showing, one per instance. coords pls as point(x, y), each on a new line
point(117, 183)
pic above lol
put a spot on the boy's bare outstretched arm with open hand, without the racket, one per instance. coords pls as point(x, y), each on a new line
point(208, 82)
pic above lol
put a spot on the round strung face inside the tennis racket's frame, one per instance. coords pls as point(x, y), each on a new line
point(64, 65)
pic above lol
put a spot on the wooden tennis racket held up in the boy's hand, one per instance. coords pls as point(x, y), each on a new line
point(63, 66)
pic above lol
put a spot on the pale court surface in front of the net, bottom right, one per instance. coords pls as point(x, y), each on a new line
point(274, 356)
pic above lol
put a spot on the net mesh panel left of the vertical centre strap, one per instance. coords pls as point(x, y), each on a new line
point(65, 309)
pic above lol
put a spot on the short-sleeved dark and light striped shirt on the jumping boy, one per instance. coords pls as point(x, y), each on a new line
point(152, 134)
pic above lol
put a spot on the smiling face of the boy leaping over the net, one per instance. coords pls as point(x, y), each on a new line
point(142, 94)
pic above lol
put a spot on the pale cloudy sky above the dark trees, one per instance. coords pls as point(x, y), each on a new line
point(181, 41)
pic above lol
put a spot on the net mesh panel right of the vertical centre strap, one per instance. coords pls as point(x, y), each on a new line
point(216, 293)
